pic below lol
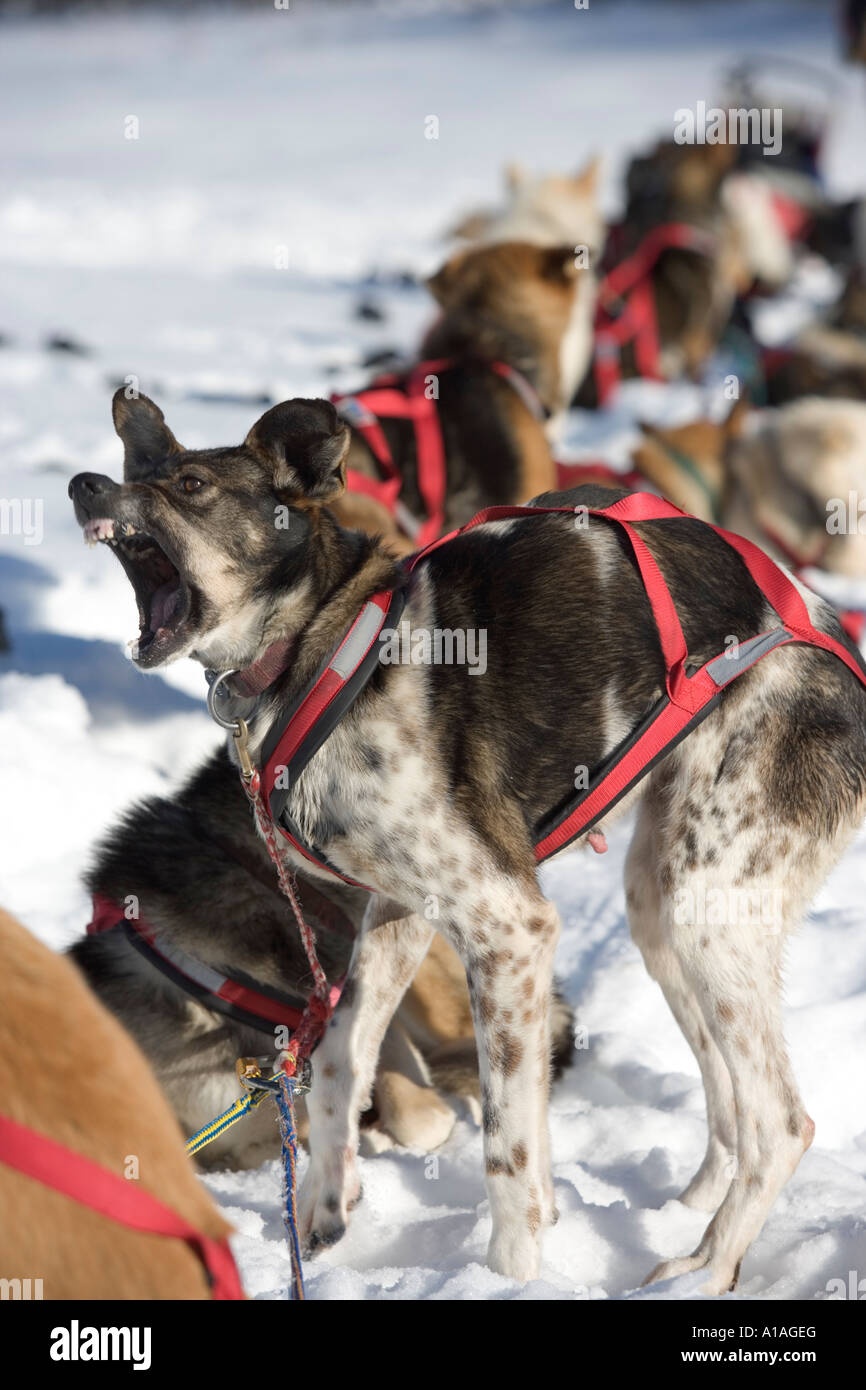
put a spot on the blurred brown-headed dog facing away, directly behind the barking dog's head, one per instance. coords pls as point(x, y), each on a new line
point(529, 308)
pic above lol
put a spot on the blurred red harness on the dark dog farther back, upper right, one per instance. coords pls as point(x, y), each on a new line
point(626, 311)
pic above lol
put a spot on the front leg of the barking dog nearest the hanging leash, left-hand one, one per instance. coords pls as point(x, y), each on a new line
point(393, 946)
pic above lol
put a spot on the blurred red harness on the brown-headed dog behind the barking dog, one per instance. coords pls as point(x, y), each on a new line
point(397, 397)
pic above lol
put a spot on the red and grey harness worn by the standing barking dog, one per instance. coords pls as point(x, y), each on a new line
point(687, 700)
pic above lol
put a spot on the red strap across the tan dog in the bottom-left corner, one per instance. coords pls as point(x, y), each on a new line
point(122, 1200)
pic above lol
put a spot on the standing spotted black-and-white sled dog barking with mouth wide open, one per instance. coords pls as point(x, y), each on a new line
point(432, 785)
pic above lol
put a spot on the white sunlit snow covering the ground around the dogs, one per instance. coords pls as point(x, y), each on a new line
point(301, 137)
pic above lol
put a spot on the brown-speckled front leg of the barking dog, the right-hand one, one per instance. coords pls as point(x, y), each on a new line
point(509, 963)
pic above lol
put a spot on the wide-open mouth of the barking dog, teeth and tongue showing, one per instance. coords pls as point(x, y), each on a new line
point(161, 593)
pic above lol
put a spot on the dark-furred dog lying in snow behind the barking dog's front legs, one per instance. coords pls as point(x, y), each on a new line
point(204, 882)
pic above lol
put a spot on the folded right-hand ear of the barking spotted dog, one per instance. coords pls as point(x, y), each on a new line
point(307, 444)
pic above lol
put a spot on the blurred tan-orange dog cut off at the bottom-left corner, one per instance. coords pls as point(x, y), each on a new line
point(98, 1097)
